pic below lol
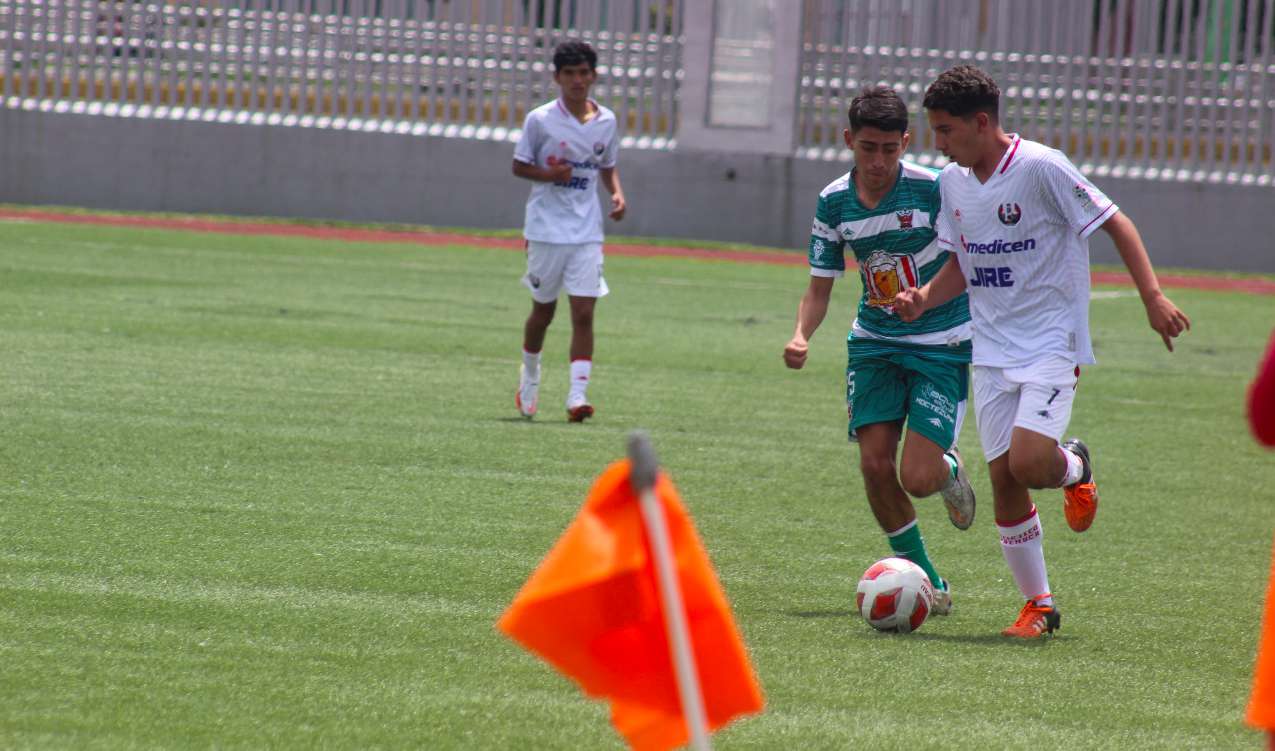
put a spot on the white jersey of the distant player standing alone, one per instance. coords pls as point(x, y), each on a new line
point(567, 212)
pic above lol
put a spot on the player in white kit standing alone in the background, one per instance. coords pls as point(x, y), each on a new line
point(568, 147)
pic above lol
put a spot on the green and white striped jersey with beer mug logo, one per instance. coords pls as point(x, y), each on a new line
point(896, 247)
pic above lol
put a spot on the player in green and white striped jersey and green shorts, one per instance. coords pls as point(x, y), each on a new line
point(884, 212)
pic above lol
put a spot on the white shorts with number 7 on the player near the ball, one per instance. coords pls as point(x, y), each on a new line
point(1037, 397)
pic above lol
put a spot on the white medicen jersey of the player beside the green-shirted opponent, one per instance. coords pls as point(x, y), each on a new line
point(1023, 244)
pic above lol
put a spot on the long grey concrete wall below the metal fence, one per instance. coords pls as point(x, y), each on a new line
point(258, 170)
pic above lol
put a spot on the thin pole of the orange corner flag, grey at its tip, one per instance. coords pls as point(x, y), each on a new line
point(642, 455)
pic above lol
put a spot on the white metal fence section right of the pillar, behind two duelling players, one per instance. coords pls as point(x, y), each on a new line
point(1156, 89)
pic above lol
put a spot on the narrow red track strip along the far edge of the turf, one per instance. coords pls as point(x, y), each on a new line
point(356, 235)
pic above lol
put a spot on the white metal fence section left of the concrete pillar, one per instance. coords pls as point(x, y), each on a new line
point(441, 67)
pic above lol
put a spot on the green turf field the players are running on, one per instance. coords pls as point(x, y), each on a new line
point(268, 493)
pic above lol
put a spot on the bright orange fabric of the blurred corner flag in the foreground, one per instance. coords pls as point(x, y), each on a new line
point(594, 611)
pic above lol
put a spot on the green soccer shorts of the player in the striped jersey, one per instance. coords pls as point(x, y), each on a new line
point(926, 392)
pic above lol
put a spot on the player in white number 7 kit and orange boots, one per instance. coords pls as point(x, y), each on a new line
point(1018, 216)
